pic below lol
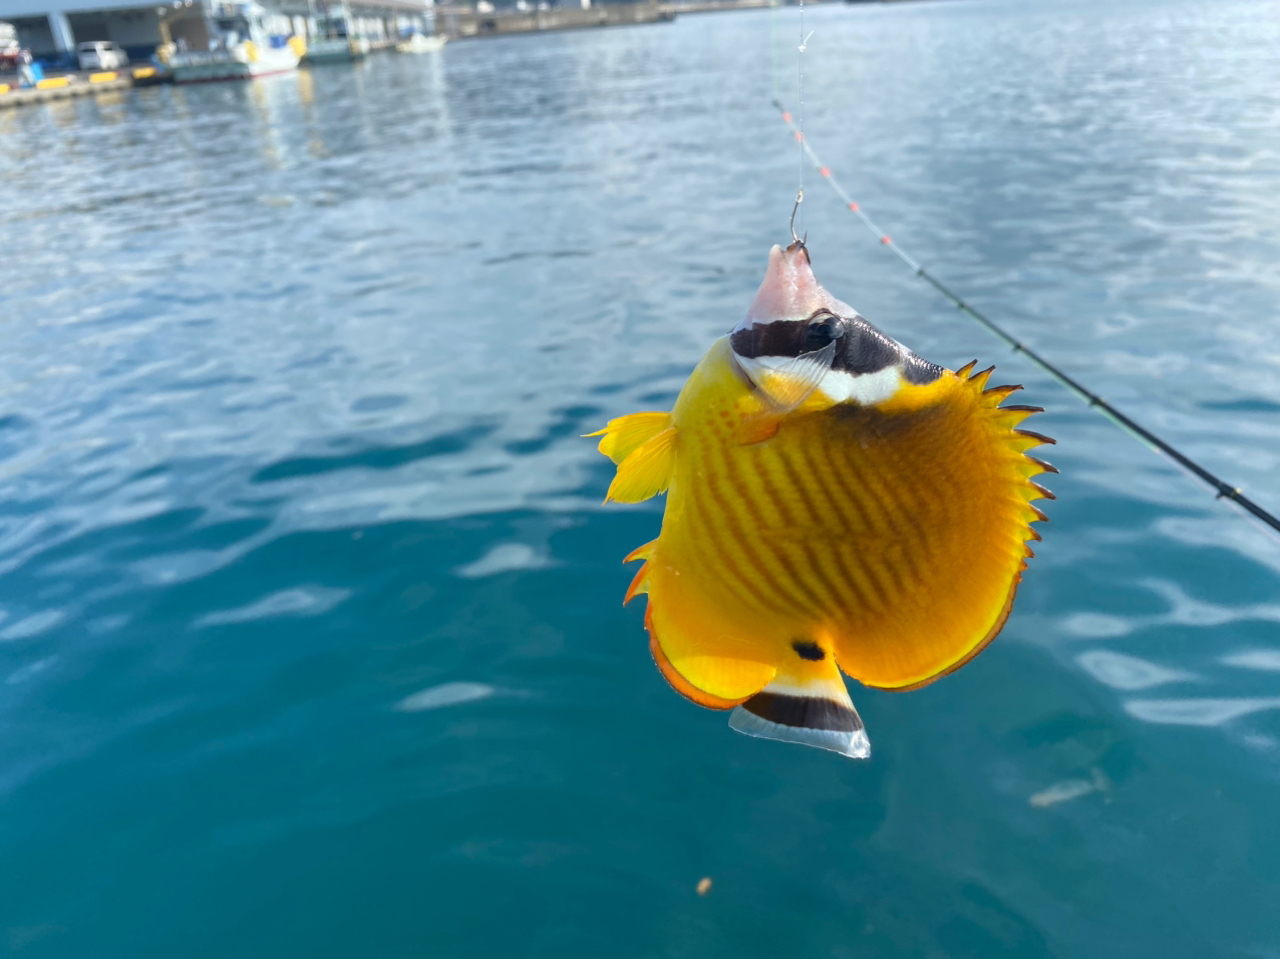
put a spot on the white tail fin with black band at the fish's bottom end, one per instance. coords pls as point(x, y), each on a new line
point(807, 710)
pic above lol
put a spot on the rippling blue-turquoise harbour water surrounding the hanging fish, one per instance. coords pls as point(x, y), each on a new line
point(312, 637)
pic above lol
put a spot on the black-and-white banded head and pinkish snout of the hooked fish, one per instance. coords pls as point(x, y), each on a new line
point(796, 331)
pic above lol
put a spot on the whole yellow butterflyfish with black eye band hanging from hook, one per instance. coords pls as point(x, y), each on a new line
point(834, 503)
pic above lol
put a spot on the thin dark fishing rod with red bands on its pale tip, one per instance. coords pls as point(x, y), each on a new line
point(1092, 400)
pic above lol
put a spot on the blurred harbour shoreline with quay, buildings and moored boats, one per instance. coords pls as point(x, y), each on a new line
point(60, 49)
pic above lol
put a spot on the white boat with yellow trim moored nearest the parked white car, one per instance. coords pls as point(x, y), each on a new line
point(244, 43)
